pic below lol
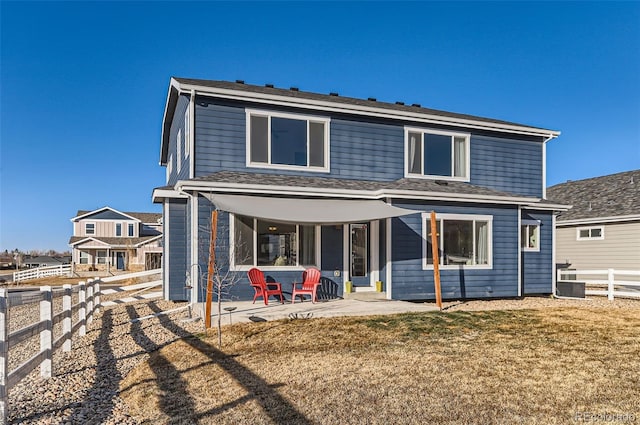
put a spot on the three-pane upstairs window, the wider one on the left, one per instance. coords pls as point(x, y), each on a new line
point(287, 141)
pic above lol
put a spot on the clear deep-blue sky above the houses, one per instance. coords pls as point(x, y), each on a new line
point(84, 84)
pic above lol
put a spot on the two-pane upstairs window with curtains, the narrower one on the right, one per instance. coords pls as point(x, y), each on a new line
point(436, 154)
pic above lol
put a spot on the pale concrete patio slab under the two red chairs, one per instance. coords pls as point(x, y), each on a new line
point(246, 311)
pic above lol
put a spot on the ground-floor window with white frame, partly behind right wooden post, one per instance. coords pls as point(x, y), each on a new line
point(463, 240)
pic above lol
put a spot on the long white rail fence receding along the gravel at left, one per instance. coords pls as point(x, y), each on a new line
point(89, 302)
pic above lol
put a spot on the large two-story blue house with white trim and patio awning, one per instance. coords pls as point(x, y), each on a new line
point(347, 185)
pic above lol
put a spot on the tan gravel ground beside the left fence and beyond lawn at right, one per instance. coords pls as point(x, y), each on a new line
point(85, 385)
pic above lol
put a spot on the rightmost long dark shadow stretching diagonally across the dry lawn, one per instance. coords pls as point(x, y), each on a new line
point(279, 409)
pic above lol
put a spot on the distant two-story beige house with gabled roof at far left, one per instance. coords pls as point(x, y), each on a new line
point(108, 240)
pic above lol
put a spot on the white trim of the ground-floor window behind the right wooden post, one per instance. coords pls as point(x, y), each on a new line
point(468, 217)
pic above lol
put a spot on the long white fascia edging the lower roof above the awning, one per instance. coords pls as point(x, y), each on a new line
point(347, 193)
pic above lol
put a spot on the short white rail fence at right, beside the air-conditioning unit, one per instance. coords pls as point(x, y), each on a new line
point(610, 282)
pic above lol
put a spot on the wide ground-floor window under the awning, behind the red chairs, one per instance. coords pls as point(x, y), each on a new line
point(265, 243)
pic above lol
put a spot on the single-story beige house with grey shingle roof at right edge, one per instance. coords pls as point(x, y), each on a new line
point(602, 229)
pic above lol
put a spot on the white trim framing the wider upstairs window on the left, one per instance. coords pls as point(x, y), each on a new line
point(265, 113)
